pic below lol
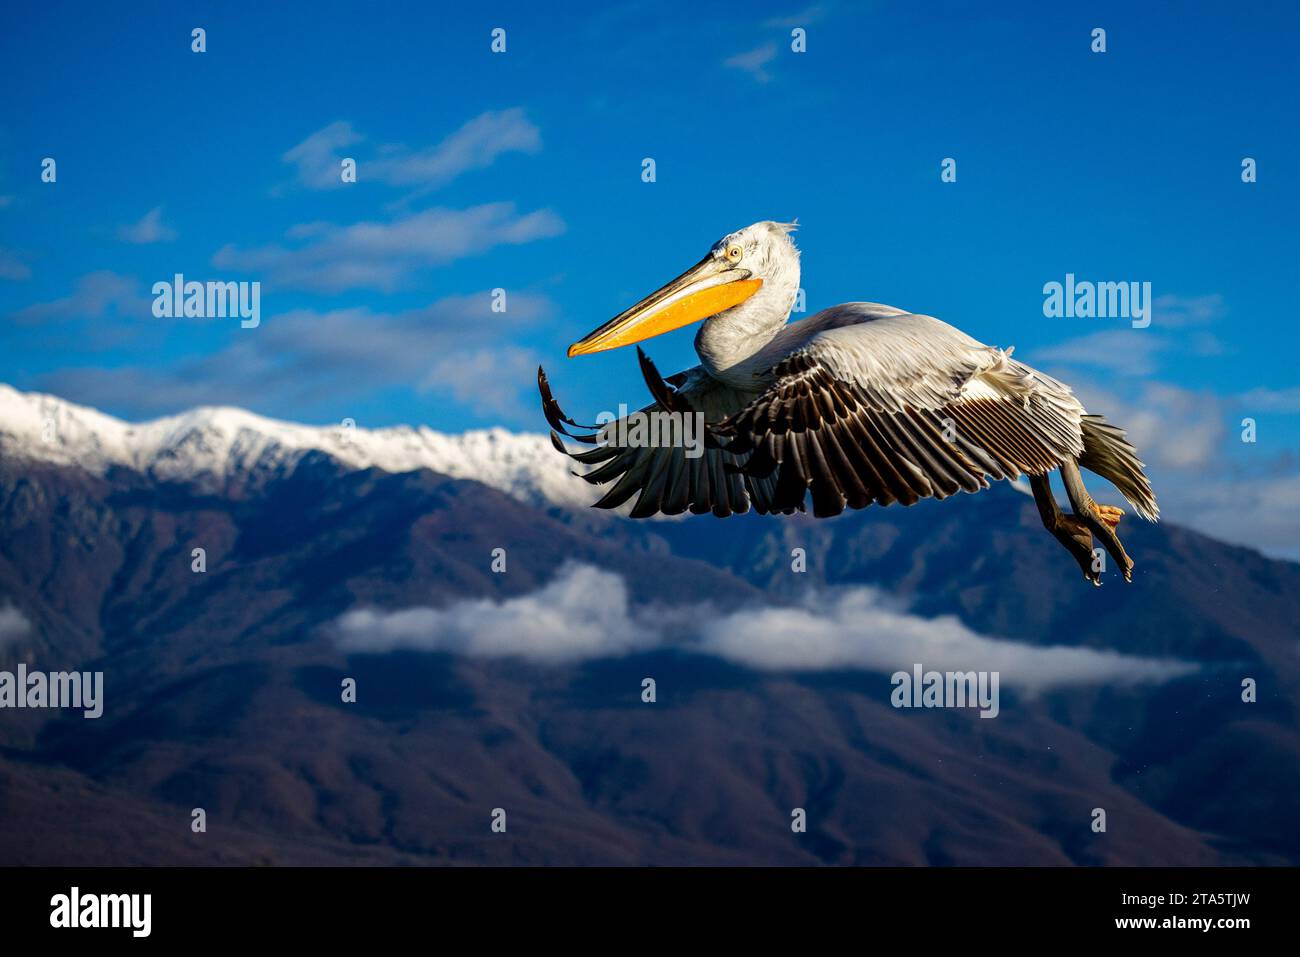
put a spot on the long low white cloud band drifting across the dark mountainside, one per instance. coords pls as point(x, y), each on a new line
point(586, 613)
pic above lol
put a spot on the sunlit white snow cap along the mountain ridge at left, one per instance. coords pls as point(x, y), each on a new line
point(214, 447)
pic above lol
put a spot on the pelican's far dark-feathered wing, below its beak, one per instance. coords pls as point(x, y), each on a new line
point(668, 479)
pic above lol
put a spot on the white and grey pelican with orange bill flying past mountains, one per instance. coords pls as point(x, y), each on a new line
point(856, 405)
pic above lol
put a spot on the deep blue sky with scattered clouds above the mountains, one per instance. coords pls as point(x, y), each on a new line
point(523, 171)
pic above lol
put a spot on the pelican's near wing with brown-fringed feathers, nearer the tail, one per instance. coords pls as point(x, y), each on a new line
point(896, 409)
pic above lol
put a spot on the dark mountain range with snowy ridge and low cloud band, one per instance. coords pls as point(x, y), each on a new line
point(500, 636)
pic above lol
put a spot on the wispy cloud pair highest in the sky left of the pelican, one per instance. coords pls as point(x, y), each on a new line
point(475, 146)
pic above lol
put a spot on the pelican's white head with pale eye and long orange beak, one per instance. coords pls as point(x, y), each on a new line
point(735, 271)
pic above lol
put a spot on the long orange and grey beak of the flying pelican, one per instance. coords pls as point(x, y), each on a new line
point(704, 291)
